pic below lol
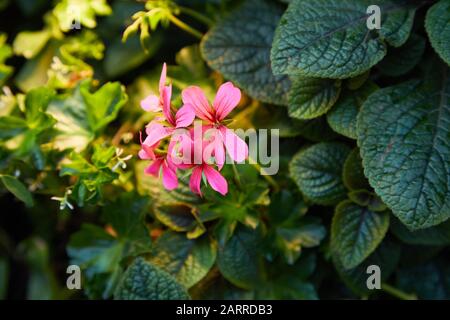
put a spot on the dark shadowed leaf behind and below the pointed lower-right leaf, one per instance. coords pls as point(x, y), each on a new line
point(386, 257)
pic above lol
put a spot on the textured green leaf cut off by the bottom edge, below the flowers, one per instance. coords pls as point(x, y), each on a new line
point(144, 281)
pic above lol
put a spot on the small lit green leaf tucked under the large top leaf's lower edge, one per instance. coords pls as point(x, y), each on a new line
point(310, 98)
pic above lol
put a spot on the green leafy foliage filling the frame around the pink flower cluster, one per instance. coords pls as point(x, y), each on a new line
point(364, 118)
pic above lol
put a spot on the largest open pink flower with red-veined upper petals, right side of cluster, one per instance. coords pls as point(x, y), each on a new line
point(227, 98)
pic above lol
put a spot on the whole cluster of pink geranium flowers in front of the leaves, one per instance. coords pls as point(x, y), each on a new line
point(175, 141)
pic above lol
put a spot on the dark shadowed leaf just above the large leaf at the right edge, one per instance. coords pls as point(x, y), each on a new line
point(400, 61)
